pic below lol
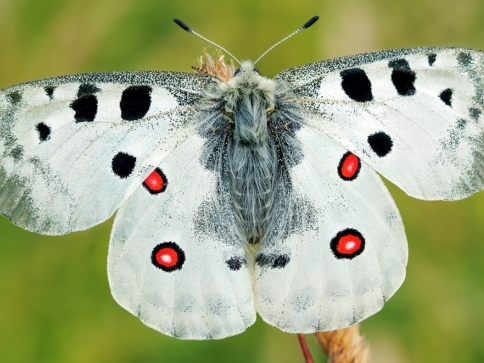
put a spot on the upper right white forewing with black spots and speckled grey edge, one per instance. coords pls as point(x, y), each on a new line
point(414, 115)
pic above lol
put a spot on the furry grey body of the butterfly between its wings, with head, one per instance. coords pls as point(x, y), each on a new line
point(251, 118)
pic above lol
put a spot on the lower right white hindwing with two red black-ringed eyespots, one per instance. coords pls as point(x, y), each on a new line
point(339, 251)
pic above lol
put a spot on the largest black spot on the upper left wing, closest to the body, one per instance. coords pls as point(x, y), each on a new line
point(135, 102)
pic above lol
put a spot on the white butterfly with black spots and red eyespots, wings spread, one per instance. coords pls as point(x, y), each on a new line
point(239, 195)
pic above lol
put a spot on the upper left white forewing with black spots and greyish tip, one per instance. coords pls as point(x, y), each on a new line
point(74, 148)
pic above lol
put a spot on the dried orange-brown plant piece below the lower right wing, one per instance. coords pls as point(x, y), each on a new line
point(344, 346)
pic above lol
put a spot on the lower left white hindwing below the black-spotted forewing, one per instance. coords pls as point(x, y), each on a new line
point(175, 258)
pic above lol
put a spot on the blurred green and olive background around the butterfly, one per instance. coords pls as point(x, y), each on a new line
point(55, 304)
